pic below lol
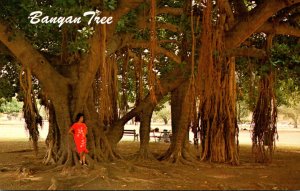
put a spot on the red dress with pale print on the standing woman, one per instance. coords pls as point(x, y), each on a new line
point(80, 130)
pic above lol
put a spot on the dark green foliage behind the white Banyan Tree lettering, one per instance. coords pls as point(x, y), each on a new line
point(49, 39)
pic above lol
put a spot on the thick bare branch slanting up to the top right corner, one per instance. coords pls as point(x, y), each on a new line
point(244, 28)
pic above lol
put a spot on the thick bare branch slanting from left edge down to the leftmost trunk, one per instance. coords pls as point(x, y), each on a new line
point(23, 50)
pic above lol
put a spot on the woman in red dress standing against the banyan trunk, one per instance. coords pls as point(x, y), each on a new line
point(79, 131)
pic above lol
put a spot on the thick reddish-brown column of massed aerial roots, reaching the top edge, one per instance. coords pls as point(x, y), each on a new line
point(217, 93)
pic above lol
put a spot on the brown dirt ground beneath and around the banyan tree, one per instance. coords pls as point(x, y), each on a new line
point(20, 169)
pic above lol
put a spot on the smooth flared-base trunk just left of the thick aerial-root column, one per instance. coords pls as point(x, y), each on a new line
point(180, 111)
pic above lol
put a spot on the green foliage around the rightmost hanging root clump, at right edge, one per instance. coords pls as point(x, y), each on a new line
point(284, 61)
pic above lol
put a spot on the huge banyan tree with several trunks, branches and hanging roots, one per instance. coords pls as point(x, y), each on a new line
point(153, 48)
